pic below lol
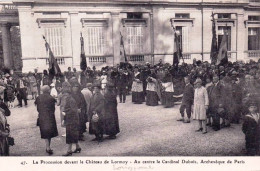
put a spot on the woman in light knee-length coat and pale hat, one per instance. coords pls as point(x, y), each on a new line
point(201, 103)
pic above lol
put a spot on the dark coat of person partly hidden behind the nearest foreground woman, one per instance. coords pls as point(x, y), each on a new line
point(81, 104)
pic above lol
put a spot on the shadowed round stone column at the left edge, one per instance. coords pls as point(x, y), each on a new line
point(6, 39)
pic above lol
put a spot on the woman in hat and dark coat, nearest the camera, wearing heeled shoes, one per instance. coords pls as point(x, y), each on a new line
point(72, 119)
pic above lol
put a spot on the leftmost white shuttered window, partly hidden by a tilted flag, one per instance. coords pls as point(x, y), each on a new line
point(55, 38)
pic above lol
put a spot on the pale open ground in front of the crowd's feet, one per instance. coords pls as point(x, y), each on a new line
point(145, 131)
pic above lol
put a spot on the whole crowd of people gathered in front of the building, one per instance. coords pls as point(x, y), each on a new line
point(216, 96)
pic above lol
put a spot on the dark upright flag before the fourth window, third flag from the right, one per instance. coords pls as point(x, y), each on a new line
point(177, 50)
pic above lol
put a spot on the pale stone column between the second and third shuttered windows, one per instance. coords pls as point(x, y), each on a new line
point(116, 38)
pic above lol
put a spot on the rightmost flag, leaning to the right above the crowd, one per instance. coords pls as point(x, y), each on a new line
point(222, 53)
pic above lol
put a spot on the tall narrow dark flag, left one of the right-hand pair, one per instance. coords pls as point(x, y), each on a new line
point(214, 44)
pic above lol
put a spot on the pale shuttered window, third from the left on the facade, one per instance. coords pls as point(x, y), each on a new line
point(135, 39)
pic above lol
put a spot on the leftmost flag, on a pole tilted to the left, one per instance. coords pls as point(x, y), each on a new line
point(54, 68)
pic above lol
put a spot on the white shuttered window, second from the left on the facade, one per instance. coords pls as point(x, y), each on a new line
point(94, 39)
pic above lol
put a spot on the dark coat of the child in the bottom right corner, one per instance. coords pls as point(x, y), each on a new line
point(251, 130)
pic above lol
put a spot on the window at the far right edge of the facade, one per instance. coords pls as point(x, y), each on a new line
point(254, 38)
